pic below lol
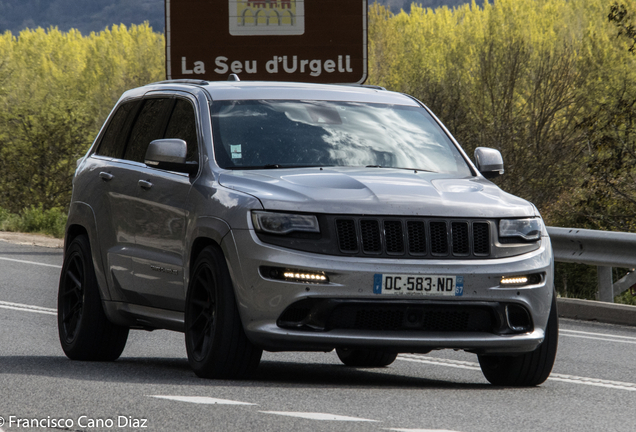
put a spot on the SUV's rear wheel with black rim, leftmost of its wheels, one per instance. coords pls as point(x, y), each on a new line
point(85, 332)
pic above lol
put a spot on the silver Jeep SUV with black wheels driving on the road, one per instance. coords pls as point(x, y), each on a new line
point(294, 217)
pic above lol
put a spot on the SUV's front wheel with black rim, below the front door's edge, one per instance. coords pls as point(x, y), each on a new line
point(215, 340)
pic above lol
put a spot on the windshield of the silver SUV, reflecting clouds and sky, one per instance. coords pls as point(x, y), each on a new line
point(284, 134)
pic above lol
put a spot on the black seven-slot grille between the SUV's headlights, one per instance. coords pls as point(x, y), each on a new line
point(367, 236)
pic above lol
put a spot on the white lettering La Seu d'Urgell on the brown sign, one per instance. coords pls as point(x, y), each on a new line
point(278, 65)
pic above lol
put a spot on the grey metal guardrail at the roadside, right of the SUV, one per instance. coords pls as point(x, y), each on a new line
point(604, 249)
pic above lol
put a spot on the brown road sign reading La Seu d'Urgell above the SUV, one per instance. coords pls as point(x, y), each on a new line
point(323, 41)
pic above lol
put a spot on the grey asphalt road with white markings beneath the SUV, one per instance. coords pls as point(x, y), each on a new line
point(151, 388)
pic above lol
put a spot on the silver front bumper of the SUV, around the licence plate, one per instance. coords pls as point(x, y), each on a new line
point(262, 300)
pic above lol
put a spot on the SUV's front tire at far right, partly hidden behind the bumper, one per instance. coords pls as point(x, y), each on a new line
point(529, 369)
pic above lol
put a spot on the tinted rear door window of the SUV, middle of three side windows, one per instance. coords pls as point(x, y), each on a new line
point(149, 126)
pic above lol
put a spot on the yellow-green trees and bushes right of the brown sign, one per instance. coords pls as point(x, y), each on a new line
point(549, 83)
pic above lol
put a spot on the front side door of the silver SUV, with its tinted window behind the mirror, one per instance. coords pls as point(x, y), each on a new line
point(161, 215)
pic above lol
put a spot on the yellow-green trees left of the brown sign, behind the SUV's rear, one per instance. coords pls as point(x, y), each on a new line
point(56, 90)
